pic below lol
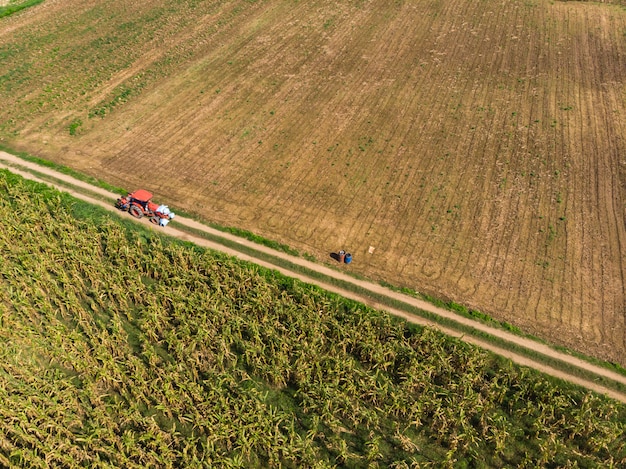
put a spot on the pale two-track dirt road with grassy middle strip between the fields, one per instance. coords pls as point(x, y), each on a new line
point(29, 170)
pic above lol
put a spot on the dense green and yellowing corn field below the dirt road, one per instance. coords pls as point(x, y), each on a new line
point(123, 348)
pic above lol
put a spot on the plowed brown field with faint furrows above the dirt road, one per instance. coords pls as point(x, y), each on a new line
point(478, 146)
